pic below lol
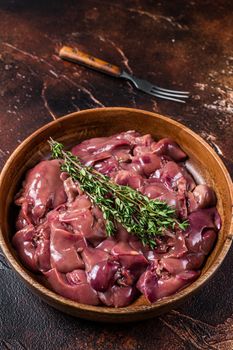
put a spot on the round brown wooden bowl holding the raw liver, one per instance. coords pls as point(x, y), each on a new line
point(203, 163)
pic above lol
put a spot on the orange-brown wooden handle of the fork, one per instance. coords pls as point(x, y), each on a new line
point(77, 56)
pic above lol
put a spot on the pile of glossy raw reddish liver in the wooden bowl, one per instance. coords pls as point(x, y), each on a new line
point(62, 235)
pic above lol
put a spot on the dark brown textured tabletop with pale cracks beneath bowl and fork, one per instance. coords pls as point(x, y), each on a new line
point(186, 44)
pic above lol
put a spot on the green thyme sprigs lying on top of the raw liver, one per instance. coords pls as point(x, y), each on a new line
point(138, 214)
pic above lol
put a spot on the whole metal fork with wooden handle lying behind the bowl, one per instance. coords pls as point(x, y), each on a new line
point(77, 56)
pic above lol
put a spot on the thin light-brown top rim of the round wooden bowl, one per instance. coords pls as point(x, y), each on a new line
point(129, 309)
